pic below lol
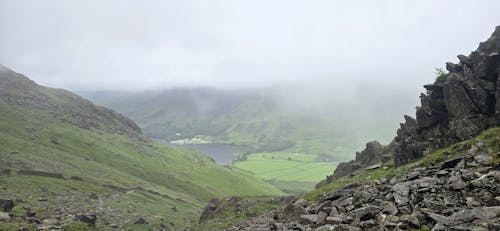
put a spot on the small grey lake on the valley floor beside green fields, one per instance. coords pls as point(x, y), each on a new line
point(221, 153)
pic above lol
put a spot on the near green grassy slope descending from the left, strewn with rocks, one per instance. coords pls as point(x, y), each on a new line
point(53, 130)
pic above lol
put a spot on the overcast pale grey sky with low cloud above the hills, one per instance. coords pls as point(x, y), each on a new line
point(141, 45)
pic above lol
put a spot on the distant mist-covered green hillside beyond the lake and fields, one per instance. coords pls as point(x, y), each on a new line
point(265, 119)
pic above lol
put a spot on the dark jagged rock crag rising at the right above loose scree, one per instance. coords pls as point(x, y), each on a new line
point(457, 106)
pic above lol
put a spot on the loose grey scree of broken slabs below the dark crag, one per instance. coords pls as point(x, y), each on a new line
point(461, 193)
